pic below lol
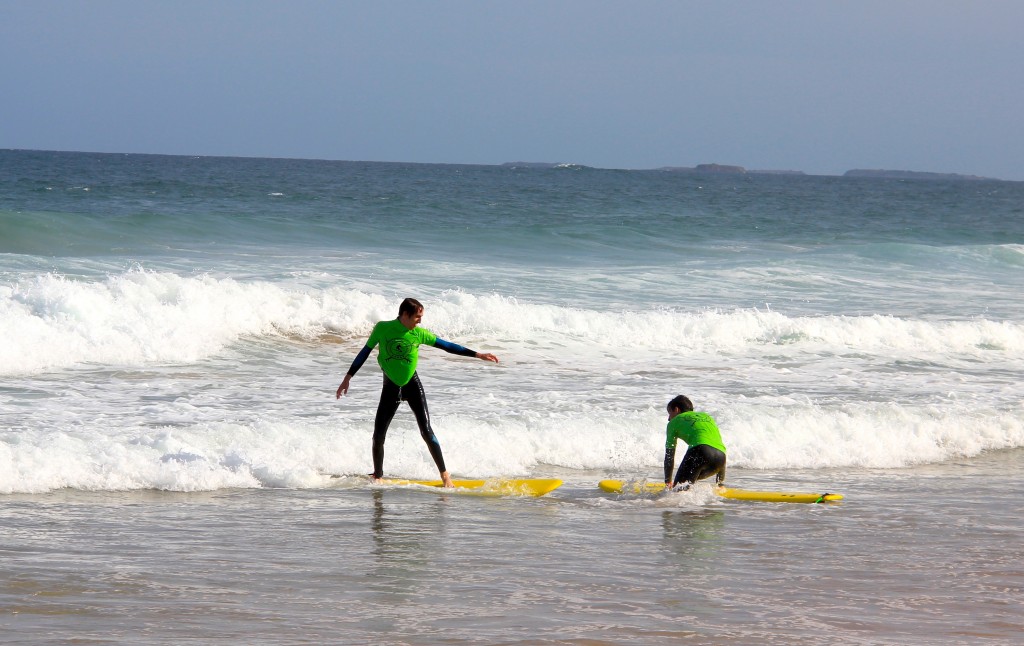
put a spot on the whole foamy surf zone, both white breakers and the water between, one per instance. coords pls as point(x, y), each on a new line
point(157, 380)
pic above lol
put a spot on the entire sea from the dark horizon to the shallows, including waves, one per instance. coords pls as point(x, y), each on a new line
point(175, 330)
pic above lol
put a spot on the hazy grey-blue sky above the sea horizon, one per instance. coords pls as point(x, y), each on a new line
point(820, 87)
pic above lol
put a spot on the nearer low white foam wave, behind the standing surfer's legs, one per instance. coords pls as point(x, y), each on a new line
point(293, 453)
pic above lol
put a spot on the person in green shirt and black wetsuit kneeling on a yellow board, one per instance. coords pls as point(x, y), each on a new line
point(706, 454)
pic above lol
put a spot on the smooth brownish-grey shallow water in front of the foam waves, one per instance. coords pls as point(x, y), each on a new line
point(919, 556)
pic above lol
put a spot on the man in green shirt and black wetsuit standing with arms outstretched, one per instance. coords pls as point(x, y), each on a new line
point(400, 340)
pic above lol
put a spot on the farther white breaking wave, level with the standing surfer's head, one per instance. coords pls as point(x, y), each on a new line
point(140, 318)
